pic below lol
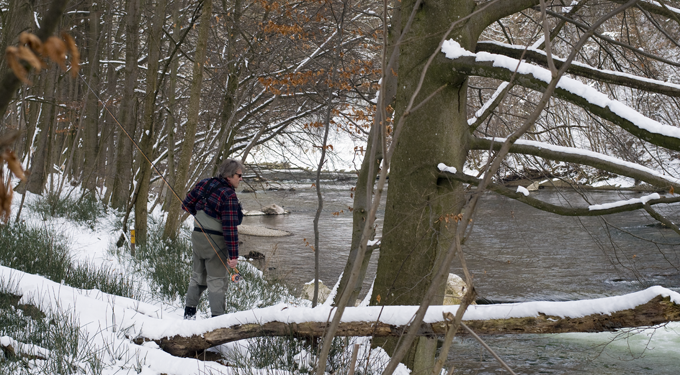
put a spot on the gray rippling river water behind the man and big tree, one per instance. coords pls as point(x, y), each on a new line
point(516, 253)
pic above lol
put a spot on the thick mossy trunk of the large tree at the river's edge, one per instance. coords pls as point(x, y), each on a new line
point(421, 209)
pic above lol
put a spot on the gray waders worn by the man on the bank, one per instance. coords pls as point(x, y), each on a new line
point(209, 270)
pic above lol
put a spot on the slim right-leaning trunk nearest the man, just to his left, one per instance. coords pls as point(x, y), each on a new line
point(181, 176)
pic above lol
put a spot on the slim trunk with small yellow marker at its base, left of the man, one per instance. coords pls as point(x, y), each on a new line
point(148, 131)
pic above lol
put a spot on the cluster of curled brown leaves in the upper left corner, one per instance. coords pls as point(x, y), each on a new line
point(33, 52)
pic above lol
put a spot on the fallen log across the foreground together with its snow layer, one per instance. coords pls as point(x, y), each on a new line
point(650, 307)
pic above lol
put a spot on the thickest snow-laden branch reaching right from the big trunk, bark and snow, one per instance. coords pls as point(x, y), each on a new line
point(537, 78)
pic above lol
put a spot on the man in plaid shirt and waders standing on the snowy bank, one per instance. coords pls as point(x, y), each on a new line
point(216, 212)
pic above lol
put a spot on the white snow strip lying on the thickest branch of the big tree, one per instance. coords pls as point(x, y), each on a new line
point(453, 50)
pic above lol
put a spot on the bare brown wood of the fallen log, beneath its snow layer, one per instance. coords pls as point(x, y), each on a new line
point(657, 310)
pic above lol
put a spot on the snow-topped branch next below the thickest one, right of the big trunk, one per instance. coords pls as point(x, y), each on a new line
point(580, 156)
